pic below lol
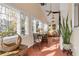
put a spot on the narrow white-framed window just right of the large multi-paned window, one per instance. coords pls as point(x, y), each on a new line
point(24, 24)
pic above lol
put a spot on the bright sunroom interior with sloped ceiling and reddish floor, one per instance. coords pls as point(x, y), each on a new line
point(38, 29)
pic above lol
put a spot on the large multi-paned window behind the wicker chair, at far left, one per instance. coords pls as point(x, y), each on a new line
point(8, 20)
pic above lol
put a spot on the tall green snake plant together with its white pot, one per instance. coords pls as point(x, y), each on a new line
point(66, 31)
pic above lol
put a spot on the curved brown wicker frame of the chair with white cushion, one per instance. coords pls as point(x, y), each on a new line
point(12, 46)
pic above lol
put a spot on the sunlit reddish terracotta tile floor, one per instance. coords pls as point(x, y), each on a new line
point(44, 49)
